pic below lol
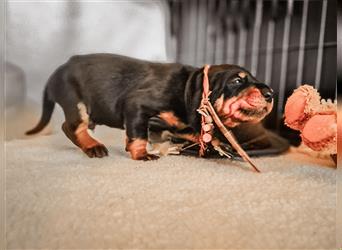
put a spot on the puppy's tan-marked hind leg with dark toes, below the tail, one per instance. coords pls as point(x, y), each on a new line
point(76, 129)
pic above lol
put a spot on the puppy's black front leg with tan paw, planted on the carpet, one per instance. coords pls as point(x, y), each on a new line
point(137, 135)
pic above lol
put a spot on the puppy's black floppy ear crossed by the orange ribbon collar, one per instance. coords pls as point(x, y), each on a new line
point(194, 90)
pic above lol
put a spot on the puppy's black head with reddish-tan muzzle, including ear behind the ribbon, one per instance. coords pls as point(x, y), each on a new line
point(235, 94)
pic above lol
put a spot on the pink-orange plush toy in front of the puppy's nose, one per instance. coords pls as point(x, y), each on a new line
point(314, 117)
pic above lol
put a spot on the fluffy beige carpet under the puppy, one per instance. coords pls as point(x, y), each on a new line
point(58, 198)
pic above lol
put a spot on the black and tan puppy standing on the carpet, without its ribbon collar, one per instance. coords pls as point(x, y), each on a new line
point(125, 93)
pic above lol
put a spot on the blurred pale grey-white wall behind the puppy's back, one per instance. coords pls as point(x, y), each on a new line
point(43, 35)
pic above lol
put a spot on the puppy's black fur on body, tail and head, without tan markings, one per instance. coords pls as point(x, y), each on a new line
point(123, 92)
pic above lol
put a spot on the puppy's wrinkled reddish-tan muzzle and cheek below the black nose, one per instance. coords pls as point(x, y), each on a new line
point(249, 106)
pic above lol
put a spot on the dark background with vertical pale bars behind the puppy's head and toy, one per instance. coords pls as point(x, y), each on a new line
point(284, 43)
